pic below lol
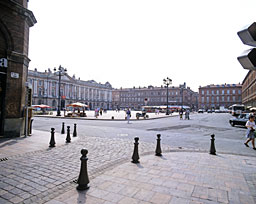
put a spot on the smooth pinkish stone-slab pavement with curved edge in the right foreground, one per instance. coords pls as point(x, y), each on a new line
point(177, 177)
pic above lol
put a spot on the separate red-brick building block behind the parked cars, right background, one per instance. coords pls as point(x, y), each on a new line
point(216, 96)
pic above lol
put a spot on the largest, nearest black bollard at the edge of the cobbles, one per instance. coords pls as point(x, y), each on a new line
point(83, 179)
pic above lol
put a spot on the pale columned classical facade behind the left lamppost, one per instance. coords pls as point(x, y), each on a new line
point(45, 86)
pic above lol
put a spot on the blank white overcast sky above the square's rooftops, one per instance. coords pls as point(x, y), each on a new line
point(140, 42)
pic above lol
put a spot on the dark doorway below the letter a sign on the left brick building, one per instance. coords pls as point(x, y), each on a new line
point(2, 97)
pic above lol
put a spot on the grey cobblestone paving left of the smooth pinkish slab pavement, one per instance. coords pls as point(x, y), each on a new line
point(41, 175)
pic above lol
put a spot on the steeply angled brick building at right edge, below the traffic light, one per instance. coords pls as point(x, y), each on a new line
point(249, 89)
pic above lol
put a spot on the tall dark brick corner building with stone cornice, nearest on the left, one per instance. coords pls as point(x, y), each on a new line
point(15, 21)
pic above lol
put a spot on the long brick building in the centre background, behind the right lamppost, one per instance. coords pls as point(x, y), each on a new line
point(154, 96)
